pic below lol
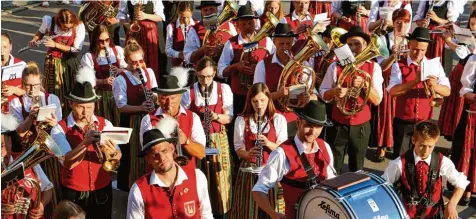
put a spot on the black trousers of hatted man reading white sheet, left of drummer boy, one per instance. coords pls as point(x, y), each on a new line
point(402, 135)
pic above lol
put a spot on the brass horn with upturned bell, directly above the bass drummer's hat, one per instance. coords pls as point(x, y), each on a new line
point(295, 73)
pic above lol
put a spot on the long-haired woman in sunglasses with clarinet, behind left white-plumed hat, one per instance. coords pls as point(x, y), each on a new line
point(107, 60)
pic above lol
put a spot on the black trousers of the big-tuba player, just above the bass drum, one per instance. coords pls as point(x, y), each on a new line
point(356, 138)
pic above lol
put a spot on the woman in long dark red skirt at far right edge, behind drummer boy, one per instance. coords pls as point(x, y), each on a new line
point(452, 107)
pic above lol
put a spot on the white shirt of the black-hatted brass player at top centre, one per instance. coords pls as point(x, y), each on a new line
point(227, 55)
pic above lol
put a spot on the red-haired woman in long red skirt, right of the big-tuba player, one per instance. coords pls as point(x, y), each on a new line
point(384, 113)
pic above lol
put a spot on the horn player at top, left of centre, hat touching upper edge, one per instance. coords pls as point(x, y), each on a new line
point(194, 50)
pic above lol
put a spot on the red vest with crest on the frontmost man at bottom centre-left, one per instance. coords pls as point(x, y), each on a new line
point(183, 203)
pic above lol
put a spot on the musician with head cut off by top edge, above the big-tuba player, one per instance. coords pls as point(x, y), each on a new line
point(348, 13)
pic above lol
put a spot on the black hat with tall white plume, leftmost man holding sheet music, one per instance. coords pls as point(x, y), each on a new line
point(83, 91)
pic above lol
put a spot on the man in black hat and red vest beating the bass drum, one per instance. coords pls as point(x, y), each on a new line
point(287, 163)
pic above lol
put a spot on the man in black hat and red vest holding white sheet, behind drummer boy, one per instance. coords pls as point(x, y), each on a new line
point(407, 84)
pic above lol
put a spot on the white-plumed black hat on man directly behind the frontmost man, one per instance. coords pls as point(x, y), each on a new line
point(174, 83)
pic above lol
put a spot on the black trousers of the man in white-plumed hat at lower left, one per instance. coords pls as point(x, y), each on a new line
point(97, 204)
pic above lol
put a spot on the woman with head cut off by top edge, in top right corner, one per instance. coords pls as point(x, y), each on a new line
point(442, 12)
